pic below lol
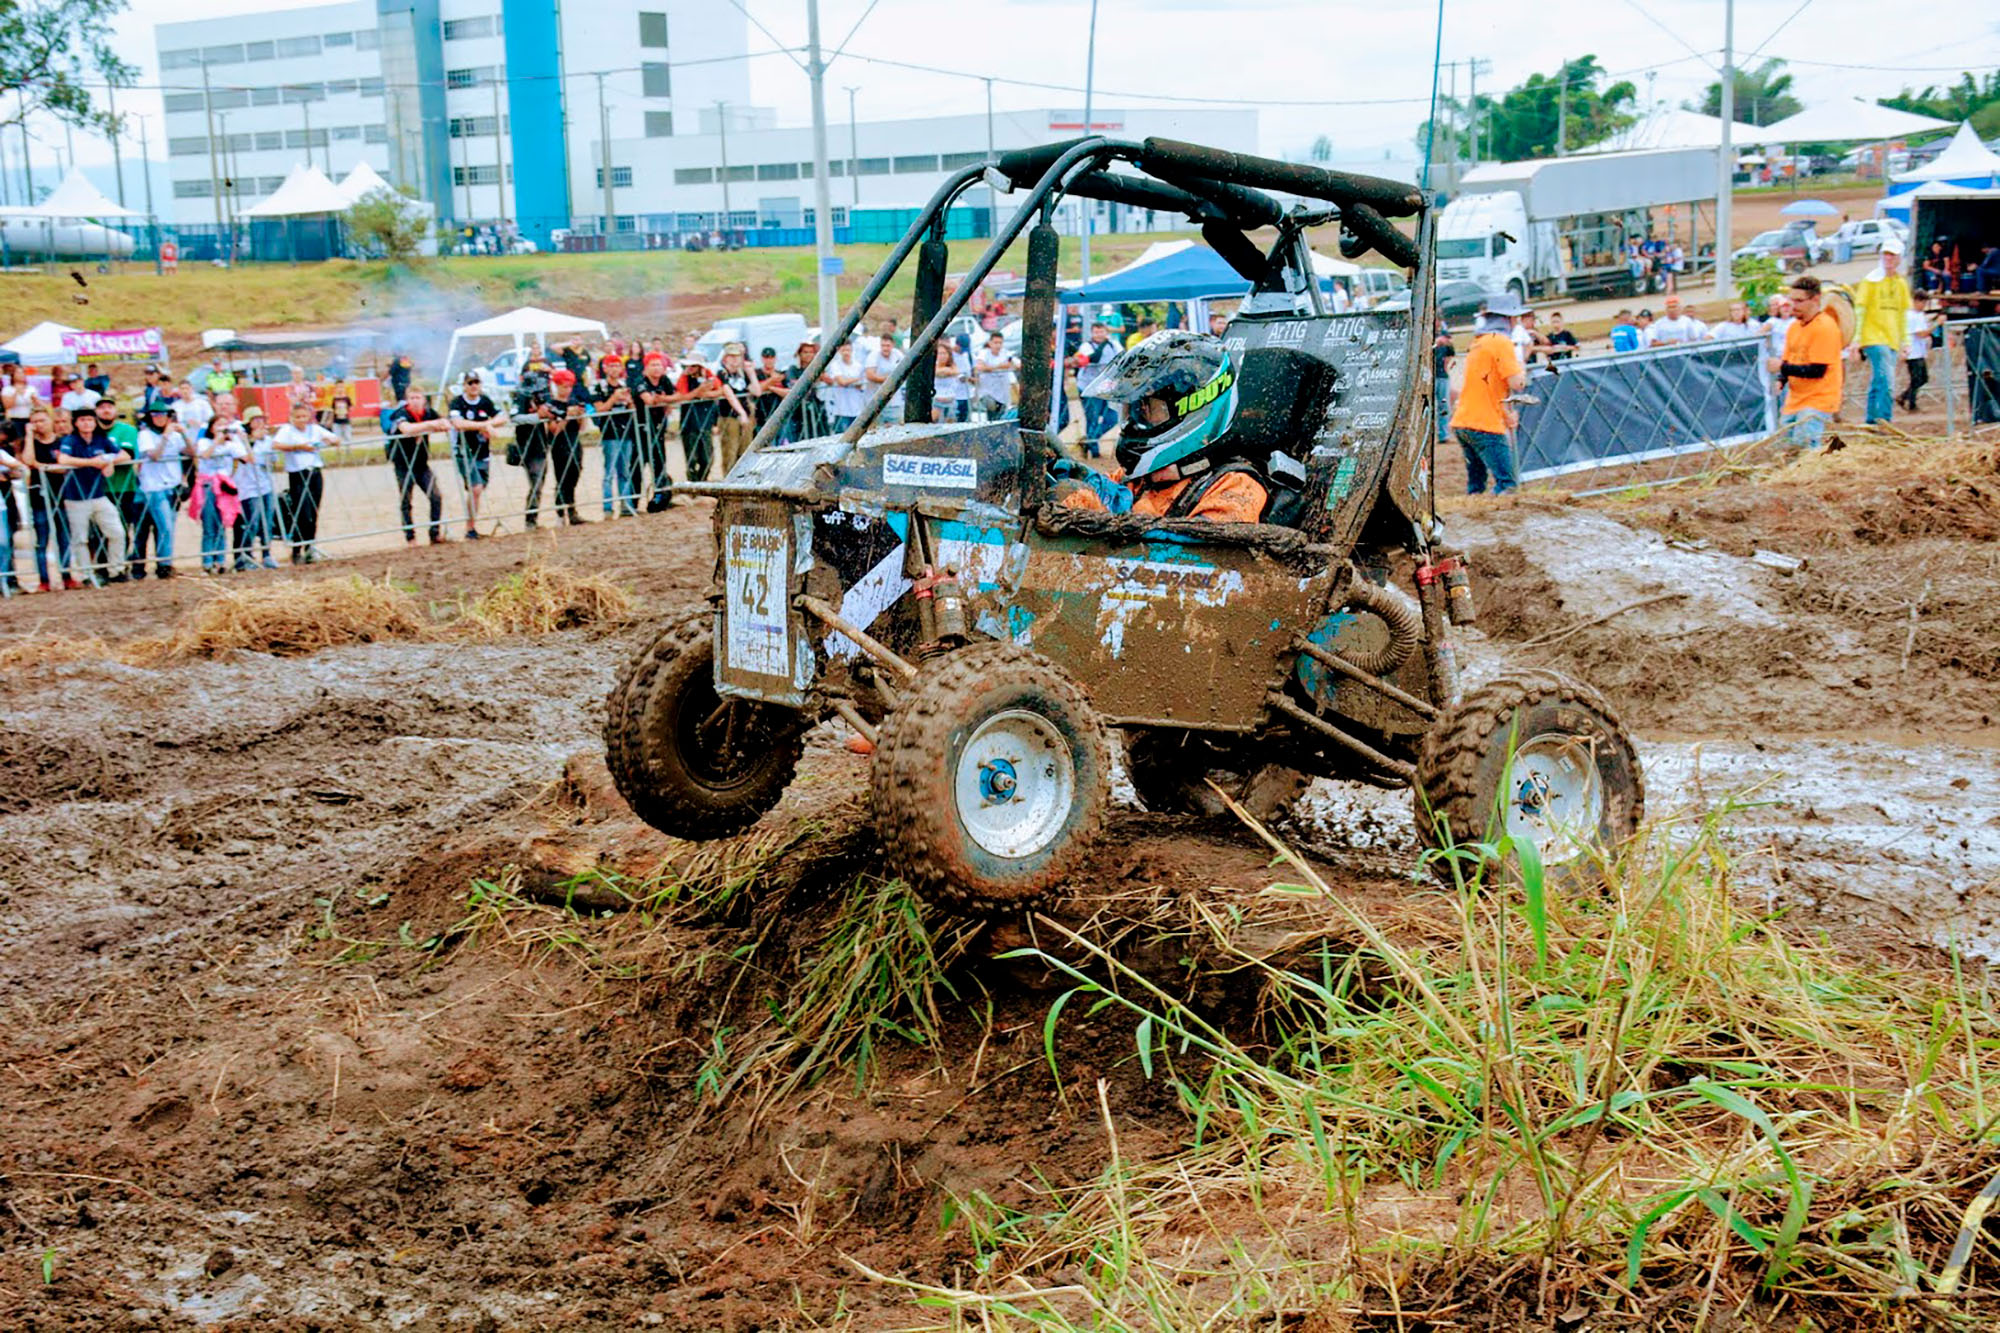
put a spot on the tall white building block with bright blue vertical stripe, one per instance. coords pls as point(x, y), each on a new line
point(491, 109)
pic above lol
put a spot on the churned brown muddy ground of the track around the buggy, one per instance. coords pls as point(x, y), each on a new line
point(269, 1066)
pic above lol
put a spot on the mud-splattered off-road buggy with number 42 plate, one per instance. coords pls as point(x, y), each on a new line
point(921, 583)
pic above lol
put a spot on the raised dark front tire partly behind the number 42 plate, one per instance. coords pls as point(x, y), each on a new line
point(669, 752)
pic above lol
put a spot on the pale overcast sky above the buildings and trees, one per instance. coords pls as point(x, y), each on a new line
point(1285, 55)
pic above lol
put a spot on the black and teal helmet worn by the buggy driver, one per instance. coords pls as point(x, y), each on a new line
point(1193, 375)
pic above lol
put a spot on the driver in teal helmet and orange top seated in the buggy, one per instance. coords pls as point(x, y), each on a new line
point(1181, 397)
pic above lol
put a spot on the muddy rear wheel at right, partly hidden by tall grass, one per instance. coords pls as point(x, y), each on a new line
point(1533, 756)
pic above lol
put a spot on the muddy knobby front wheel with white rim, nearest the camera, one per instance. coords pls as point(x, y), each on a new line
point(991, 782)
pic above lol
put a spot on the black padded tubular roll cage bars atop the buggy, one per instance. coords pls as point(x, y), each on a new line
point(1223, 191)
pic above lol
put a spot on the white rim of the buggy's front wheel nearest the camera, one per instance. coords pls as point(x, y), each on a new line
point(1015, 784)
